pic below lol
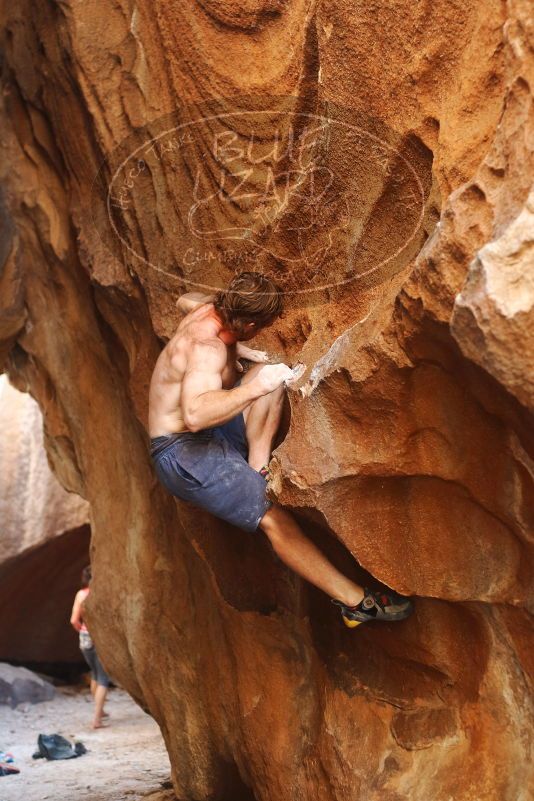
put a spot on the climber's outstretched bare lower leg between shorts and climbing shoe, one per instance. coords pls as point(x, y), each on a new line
point(302, 556)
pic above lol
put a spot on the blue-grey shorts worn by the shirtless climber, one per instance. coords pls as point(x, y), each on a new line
point(209, 468)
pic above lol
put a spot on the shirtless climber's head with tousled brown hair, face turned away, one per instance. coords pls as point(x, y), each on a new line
point(251, 302)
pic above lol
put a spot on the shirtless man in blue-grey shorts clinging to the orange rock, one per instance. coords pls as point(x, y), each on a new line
point(211, 435)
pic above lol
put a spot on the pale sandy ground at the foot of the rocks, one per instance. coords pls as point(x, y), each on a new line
point(124, 761)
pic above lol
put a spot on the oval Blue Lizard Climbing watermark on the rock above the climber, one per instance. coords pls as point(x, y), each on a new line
point(317, 199)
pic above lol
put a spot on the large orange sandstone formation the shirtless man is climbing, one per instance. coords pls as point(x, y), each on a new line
point(408, 453)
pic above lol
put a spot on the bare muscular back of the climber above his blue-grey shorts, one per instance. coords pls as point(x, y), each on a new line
point(185, 353)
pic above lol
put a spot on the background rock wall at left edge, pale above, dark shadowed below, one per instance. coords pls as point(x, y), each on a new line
point(44, 541)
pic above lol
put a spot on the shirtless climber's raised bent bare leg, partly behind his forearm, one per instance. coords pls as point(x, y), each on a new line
point(262, 420)
